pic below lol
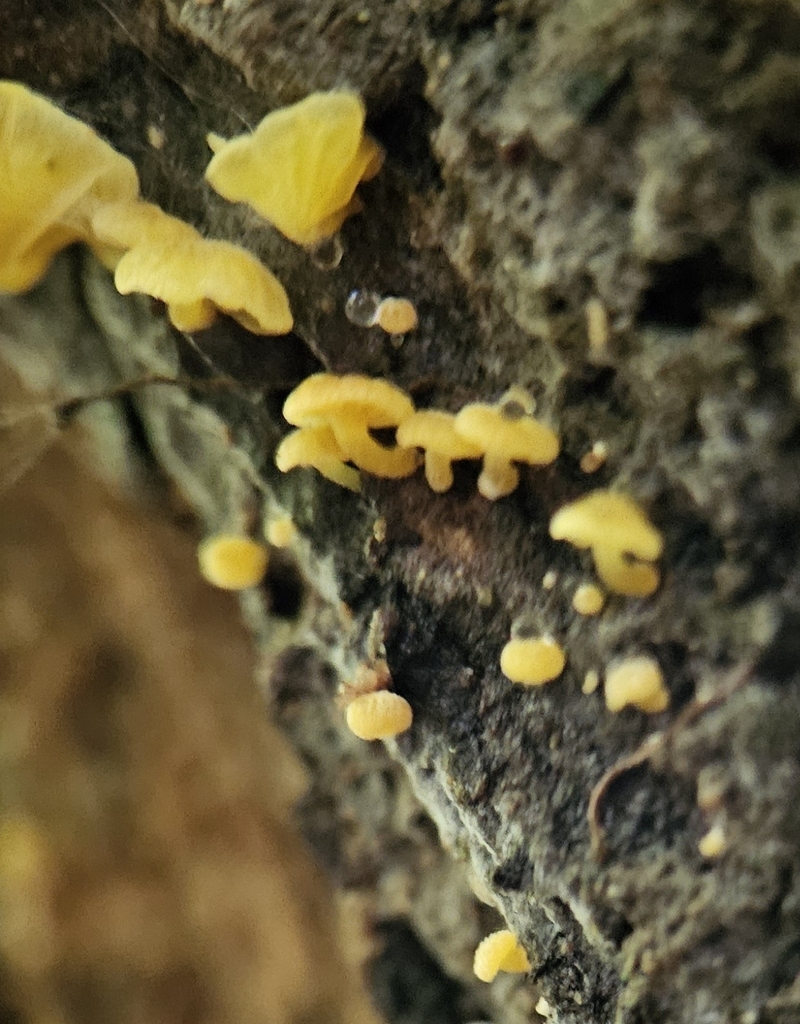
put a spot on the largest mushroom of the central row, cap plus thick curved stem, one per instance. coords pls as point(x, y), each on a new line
point(352, 406)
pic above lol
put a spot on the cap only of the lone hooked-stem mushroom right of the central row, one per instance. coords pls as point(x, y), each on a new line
point(608, 520)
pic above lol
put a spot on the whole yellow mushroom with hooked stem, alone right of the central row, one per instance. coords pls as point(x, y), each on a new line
point(618, 532)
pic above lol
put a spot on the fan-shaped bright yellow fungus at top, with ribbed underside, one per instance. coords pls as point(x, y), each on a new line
point(301, 167)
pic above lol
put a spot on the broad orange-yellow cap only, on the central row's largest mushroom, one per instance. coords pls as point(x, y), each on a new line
point(324, 397)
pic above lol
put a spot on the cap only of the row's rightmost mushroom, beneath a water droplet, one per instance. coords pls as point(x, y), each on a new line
point(522, 440)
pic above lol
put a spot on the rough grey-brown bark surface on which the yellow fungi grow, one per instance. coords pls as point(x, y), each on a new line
point(541, 156)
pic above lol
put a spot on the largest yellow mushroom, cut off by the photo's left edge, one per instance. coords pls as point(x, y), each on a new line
point(55, 173)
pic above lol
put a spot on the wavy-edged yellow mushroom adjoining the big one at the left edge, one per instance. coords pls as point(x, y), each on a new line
point(197, 278)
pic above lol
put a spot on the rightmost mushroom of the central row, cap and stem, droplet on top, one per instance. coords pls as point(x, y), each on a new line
point(507, 434)
